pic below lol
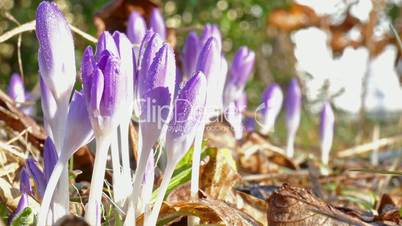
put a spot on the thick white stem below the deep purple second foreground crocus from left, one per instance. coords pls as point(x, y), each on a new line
point(92, 215)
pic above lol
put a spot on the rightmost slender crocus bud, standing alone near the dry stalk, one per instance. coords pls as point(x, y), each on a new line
point(327, 121)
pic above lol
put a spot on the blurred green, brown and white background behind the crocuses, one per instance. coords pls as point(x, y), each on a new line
point(341, 50)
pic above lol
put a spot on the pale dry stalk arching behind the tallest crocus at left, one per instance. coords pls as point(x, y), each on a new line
point(30, 26)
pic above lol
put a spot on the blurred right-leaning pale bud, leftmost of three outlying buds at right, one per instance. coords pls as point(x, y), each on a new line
point(272, 99)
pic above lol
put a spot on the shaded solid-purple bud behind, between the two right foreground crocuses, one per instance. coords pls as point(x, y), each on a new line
point(190, 54)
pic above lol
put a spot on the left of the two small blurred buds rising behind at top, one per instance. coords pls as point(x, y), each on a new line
point(136, 28)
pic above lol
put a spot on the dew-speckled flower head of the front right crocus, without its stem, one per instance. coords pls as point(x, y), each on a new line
point(189, 106)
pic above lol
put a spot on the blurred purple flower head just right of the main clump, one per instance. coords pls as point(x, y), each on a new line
point(242, 65)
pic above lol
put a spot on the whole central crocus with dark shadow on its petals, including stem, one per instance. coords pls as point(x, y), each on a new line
point(155, 89)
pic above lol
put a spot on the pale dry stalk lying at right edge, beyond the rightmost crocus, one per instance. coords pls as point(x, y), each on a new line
point(360, 149)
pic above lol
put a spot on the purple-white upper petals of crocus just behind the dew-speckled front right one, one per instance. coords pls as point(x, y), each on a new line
point(209, 59)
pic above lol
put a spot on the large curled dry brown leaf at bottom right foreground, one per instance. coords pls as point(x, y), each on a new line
point(299, 207)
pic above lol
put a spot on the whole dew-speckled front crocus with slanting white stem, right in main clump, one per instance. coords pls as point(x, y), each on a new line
point(187, 116)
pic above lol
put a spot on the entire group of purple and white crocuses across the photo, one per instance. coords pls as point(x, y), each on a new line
point(137, 73)
